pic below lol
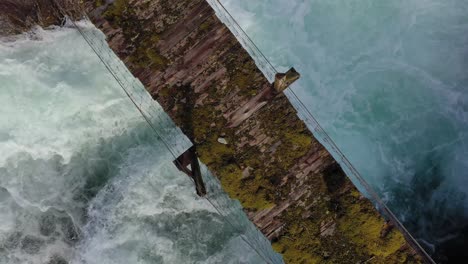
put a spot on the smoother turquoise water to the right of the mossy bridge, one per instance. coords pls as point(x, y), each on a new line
point(388, 80)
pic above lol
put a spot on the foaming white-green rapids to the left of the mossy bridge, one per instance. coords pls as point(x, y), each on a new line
point(83, 178)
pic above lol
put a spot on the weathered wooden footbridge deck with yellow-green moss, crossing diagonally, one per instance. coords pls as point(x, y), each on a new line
point(289, 185)
